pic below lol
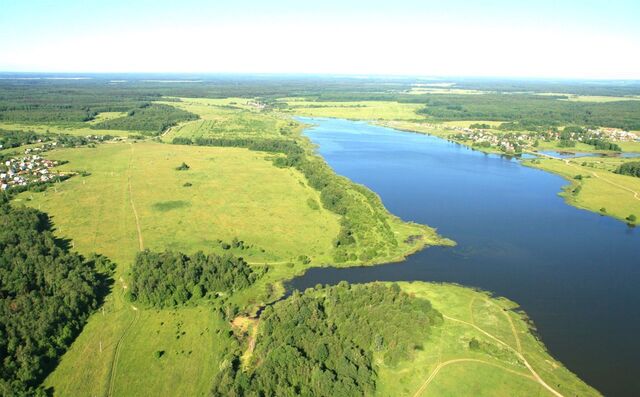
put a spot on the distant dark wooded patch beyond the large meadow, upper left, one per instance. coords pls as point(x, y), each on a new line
point(149, 118)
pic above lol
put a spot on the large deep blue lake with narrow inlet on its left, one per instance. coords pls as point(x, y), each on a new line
point(576, 273)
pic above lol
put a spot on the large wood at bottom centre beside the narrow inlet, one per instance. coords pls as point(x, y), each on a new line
point(323, 342)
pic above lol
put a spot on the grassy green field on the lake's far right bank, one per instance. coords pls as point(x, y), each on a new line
point(599, 187)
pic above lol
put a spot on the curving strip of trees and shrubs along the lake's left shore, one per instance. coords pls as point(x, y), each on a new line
point(363, 221)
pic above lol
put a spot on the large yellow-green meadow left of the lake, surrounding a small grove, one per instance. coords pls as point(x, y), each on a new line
point(234, 193)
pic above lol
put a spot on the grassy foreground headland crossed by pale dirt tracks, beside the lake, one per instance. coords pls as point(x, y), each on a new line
point(508, 359)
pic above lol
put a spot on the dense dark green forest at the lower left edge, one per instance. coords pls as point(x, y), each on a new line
point(46, 296)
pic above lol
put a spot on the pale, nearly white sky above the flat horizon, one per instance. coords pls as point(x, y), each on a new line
point(582, 39)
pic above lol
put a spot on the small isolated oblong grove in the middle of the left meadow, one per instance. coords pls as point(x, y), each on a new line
point(172, 278)
